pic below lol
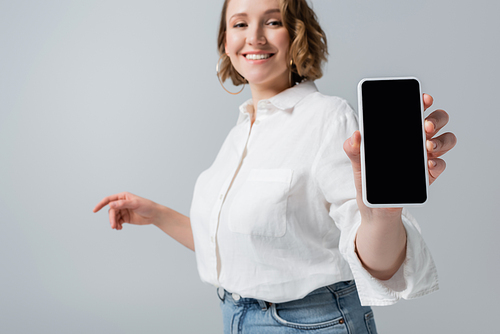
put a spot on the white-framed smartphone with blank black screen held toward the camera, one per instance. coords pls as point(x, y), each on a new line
point(393, 152)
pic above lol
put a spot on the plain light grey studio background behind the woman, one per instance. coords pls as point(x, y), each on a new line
point(98, 97)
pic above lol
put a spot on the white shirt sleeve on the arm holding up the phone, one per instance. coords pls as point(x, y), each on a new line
point(333, 174)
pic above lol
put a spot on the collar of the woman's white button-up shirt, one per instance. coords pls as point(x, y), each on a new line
point(285, 100)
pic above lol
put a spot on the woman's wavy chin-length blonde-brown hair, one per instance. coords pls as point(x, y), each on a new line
point(308, 47)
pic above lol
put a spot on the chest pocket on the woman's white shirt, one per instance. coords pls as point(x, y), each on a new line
point(259, 207)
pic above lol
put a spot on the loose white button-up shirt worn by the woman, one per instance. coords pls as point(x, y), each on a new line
point(275, 215)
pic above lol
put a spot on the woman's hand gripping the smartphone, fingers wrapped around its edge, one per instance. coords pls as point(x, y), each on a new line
point(436, 147)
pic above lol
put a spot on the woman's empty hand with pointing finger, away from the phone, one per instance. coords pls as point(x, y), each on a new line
point(129, 208)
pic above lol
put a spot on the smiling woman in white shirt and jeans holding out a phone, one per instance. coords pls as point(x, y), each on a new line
point(278, 220)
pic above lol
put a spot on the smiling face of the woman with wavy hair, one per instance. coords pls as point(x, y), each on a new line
point(256, 41)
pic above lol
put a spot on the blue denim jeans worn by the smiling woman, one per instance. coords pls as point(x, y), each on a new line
point(330, 309)
